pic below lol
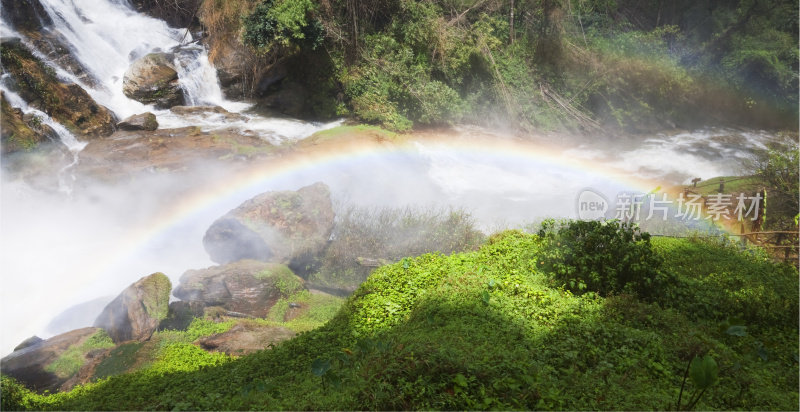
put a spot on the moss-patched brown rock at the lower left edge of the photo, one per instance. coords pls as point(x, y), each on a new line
point(50, 363)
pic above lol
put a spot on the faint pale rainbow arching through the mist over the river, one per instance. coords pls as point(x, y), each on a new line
point(256, 176)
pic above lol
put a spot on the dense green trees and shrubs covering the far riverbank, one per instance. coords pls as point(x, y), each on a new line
point(579, 64)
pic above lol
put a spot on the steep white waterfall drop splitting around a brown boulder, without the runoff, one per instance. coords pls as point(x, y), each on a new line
point(106, 36)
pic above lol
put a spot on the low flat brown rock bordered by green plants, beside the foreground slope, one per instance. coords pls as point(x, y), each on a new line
point(245, 338)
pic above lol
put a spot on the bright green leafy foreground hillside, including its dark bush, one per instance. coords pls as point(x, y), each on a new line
point(505, 327)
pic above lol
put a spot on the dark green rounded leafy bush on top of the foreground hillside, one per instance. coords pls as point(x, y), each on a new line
point(603, 257)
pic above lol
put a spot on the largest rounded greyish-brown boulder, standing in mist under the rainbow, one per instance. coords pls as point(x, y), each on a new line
point(284, 227)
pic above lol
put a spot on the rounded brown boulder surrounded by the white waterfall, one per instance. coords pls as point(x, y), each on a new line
point(152, 79)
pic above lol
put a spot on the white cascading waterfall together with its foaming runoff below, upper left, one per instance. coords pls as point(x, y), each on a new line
point(106, 36)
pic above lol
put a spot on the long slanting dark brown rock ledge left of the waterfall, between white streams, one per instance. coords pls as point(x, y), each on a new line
point(67, 103)
